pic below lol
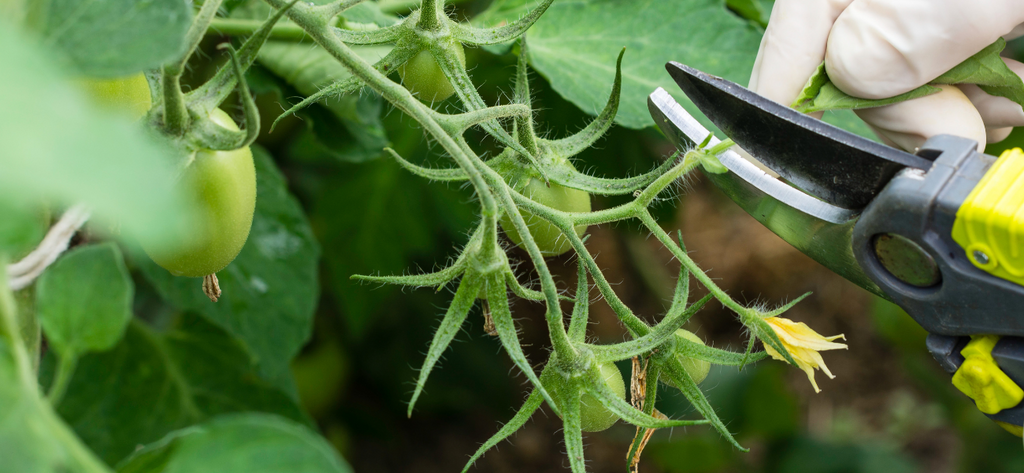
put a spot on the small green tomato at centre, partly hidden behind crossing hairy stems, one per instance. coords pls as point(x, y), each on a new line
point(549, 239)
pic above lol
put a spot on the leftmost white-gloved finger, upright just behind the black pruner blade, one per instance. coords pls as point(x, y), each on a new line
point(793, 47)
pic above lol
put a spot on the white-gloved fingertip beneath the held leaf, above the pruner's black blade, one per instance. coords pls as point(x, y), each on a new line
point(909, 124)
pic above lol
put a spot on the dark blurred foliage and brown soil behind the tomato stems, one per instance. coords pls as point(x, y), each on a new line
point(890, 408)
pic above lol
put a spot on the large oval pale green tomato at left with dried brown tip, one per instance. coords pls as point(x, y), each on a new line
point(224, 188)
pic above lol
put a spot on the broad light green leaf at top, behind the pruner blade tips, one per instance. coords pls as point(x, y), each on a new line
point(575, 46)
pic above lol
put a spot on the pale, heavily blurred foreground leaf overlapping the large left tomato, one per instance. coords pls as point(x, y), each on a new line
point(55, 145)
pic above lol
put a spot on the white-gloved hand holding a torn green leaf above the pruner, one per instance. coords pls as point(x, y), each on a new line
point(882, 49)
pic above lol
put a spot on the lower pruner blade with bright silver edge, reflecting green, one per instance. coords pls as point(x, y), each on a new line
point(818, 229)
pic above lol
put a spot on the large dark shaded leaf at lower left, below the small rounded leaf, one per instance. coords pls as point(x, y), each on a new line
point(153, 383)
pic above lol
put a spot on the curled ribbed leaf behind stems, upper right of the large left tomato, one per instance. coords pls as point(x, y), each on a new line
point(309, 69)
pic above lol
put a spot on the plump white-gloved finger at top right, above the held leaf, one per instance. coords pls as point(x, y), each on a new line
point(882, 49)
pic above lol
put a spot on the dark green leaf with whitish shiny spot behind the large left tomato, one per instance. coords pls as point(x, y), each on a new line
point(271, 290)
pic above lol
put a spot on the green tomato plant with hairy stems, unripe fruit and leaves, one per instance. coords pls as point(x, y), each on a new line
point(401, 156)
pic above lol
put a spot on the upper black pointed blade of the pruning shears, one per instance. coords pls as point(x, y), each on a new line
point(835, 165)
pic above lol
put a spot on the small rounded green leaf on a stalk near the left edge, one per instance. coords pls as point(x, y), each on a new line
point(84, 300)
